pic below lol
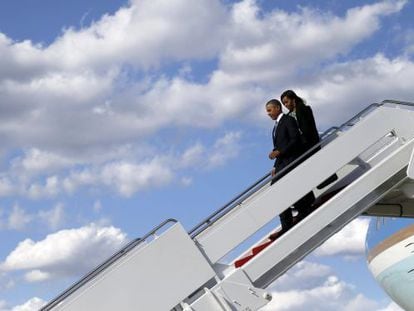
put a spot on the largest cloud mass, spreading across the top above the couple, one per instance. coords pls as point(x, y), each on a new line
point(52, 94)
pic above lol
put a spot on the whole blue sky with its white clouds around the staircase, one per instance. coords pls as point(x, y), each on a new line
point(116, 115)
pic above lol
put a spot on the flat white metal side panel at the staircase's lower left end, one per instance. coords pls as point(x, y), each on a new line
point(155, 277)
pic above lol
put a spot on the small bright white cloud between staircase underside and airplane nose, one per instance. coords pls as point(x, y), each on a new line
point(350, 241)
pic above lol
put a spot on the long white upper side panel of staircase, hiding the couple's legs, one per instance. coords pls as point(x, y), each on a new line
point(242, 222)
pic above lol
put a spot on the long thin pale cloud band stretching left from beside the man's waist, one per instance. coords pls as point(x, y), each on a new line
point(125, 176)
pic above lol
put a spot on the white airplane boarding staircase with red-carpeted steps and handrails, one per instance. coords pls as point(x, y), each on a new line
point(170, 269)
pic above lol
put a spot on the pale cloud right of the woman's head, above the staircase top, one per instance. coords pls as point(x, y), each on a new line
point(357, 84)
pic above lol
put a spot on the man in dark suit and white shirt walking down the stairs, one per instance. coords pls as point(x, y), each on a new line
point(286, 148)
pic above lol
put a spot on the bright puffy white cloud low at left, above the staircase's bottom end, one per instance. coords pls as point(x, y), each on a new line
point(64, 253)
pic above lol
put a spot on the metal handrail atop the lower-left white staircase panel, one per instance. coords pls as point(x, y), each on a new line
point(125, 250)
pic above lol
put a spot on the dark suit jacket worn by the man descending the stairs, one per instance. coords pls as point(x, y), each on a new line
point(287, 141)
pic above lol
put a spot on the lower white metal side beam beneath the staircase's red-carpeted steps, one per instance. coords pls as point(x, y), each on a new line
point(328, 219)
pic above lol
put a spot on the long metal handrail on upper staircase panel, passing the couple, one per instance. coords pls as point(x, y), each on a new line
point(203, 225)
